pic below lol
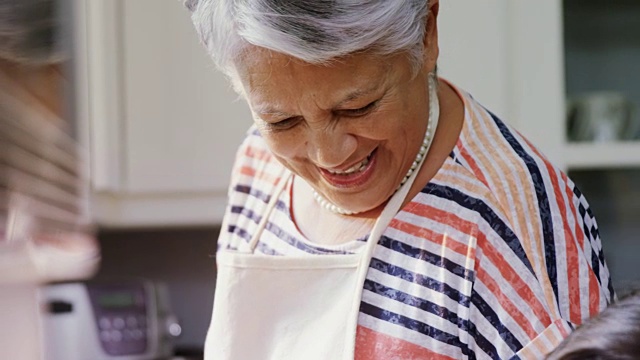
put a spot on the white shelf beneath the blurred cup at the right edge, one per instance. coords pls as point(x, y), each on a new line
point(602, 155)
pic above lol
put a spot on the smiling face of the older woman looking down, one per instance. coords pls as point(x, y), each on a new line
point(351, 129)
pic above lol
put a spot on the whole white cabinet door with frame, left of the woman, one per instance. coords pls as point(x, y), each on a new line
point(165, 124)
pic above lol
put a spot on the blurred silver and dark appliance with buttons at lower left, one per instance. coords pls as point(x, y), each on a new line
point(126, 320)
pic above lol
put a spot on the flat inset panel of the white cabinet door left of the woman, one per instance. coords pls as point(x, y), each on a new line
point(181, 121)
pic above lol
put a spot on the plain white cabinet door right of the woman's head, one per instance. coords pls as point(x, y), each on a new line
point(508, 55)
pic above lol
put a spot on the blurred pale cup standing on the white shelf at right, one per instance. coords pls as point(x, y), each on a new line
point(602, 116)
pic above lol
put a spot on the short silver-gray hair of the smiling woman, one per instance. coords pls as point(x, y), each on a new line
point(316, 32)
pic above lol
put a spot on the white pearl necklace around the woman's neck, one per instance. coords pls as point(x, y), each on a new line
point(426, 143)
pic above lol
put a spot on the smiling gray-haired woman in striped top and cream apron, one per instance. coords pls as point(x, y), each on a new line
point(378, 212)
